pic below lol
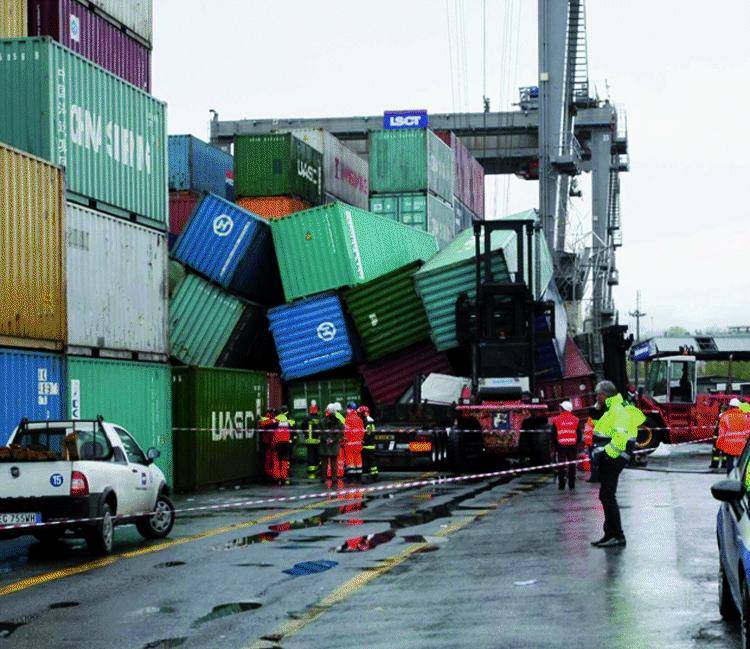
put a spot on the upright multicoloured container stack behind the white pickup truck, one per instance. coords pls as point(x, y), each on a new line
point(85, 264)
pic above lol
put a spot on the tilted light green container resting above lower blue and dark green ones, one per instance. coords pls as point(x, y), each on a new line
point(337, 245)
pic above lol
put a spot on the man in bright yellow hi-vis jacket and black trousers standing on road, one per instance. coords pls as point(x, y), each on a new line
point(619, 423)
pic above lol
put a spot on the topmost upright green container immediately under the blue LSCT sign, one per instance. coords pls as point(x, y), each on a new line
point(412, 160)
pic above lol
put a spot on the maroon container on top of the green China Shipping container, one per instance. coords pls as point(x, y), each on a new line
point(90, 35)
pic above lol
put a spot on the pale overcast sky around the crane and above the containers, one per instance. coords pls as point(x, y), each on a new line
point(679, 68)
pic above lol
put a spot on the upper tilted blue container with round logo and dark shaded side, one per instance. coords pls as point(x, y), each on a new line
point(232, 247)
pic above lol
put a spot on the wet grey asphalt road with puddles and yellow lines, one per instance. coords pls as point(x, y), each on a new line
point(482, 564)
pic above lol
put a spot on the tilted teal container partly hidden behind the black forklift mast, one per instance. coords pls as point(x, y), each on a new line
point(452, 272)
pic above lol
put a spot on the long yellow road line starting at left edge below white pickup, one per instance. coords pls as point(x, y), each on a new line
point(44, 578)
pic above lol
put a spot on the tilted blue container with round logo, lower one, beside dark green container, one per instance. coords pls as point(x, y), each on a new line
point(311, 336)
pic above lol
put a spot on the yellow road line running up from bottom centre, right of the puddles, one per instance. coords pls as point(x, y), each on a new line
point(356, 583)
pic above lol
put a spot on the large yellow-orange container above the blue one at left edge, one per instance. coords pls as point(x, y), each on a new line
point(32, 252)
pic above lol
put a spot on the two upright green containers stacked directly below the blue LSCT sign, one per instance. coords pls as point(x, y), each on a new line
point(412, 180)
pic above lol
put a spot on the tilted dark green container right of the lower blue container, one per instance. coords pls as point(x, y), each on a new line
point(387, 313)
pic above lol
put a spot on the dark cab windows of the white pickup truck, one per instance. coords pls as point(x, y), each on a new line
point(85, 441)
